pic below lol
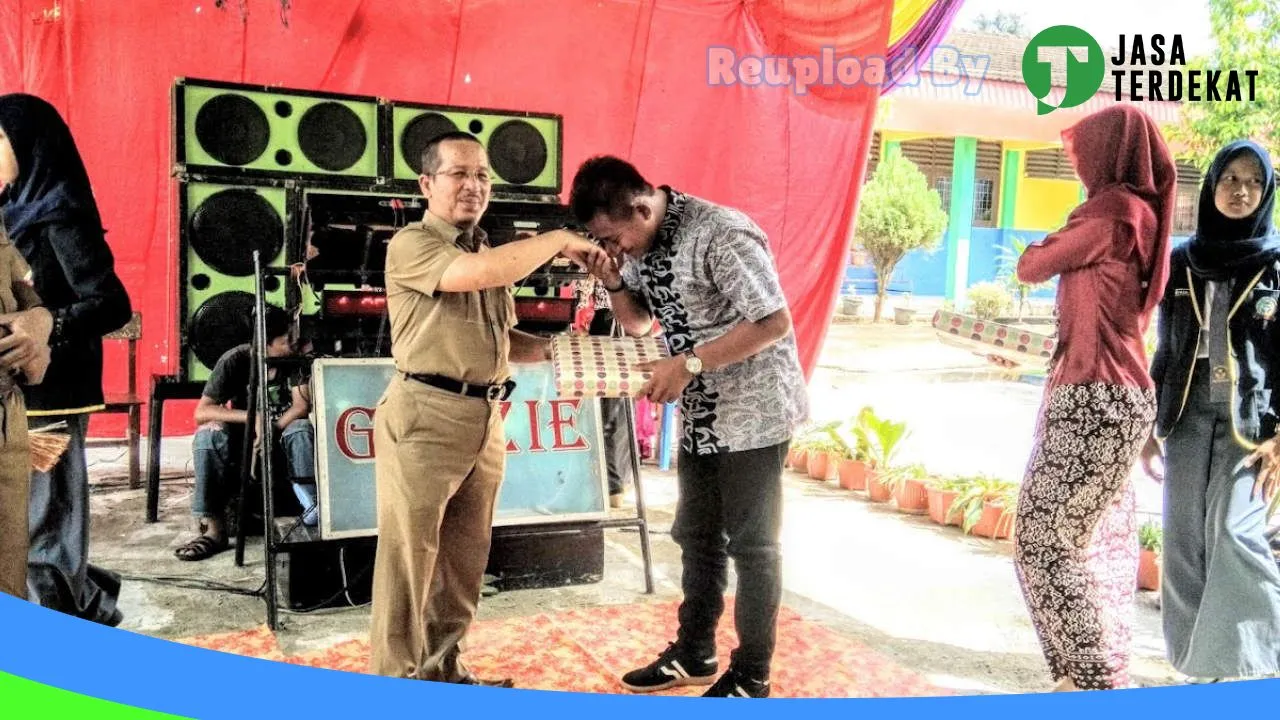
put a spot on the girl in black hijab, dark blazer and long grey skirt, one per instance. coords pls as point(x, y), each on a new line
point(1217, 370)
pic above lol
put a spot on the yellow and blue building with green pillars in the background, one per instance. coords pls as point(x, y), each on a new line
point(999, 167)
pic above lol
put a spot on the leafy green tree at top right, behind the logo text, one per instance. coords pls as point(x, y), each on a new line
point(1247, 34)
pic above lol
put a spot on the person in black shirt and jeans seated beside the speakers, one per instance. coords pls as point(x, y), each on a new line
point(222, 414)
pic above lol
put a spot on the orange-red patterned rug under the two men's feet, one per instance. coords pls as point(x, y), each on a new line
point(569, 651)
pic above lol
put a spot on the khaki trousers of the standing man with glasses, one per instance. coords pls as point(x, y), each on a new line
point(440, 464)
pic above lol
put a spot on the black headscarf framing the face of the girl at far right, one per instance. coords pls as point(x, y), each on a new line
point(1223, 248)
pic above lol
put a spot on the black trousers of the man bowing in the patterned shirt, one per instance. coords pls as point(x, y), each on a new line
point(732, 507)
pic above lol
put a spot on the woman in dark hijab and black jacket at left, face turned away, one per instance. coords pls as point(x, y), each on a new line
point(52, 217)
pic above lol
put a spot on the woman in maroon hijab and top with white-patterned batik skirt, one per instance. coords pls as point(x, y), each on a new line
point(1076, 541)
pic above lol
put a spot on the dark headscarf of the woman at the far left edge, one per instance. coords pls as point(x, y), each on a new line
point(52, 181)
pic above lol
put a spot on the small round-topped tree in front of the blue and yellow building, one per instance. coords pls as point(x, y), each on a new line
point(899, 213)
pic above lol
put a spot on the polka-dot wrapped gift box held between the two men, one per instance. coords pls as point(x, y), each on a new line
point(602, 367)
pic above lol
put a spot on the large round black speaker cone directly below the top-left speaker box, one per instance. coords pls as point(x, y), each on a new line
point(230, 226)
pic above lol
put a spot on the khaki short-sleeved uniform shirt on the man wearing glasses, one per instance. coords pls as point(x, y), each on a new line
point(459, 335)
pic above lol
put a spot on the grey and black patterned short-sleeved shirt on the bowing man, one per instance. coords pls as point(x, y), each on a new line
point(710, 270)
